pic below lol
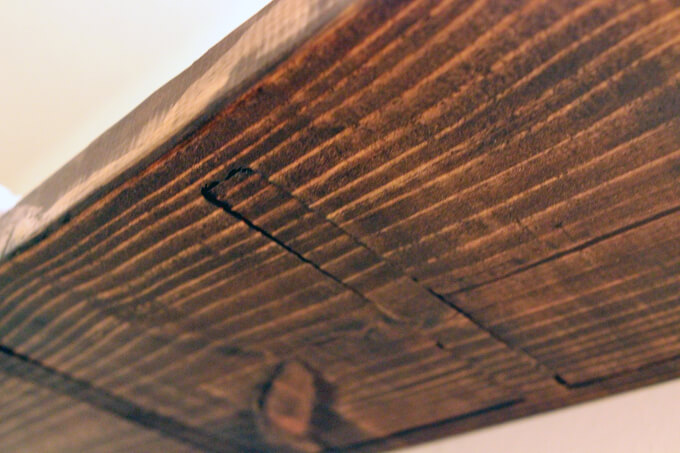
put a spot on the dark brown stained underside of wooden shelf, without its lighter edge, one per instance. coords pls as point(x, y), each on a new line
point(431, 217)
